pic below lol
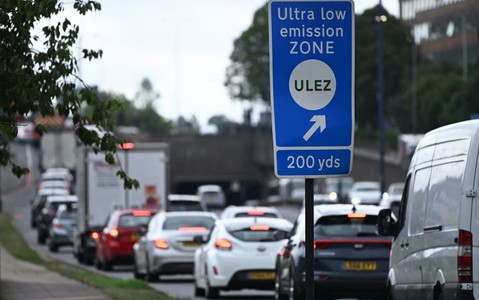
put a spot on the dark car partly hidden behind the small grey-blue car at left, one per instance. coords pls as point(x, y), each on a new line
point(48, 213)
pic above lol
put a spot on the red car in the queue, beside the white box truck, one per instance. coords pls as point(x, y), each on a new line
point(115, 244)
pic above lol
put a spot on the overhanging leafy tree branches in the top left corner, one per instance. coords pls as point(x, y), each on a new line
point(38, 75)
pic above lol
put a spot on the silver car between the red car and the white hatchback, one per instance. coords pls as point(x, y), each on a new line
point(168, 245)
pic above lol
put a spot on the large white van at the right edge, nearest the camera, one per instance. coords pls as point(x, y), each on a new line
point(435, 252)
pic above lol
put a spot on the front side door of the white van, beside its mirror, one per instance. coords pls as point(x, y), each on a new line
point(405, 273)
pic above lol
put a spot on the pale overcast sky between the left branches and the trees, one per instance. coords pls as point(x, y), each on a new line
point(181, 46)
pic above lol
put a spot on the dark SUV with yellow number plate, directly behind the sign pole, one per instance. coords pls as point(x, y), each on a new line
point(350, 259)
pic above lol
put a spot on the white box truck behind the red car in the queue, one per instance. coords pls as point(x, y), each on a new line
point(100, 190)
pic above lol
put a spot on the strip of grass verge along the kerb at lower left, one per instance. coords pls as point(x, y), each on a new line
point(116, 289)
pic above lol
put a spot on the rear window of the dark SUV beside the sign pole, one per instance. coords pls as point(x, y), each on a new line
point(345, 226)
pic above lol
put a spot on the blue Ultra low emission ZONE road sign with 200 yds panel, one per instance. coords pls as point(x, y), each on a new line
point(312, 86)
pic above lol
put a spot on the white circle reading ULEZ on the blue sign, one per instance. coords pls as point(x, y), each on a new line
point(312, 84)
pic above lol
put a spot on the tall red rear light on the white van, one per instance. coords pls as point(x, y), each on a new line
point(464, 257)
